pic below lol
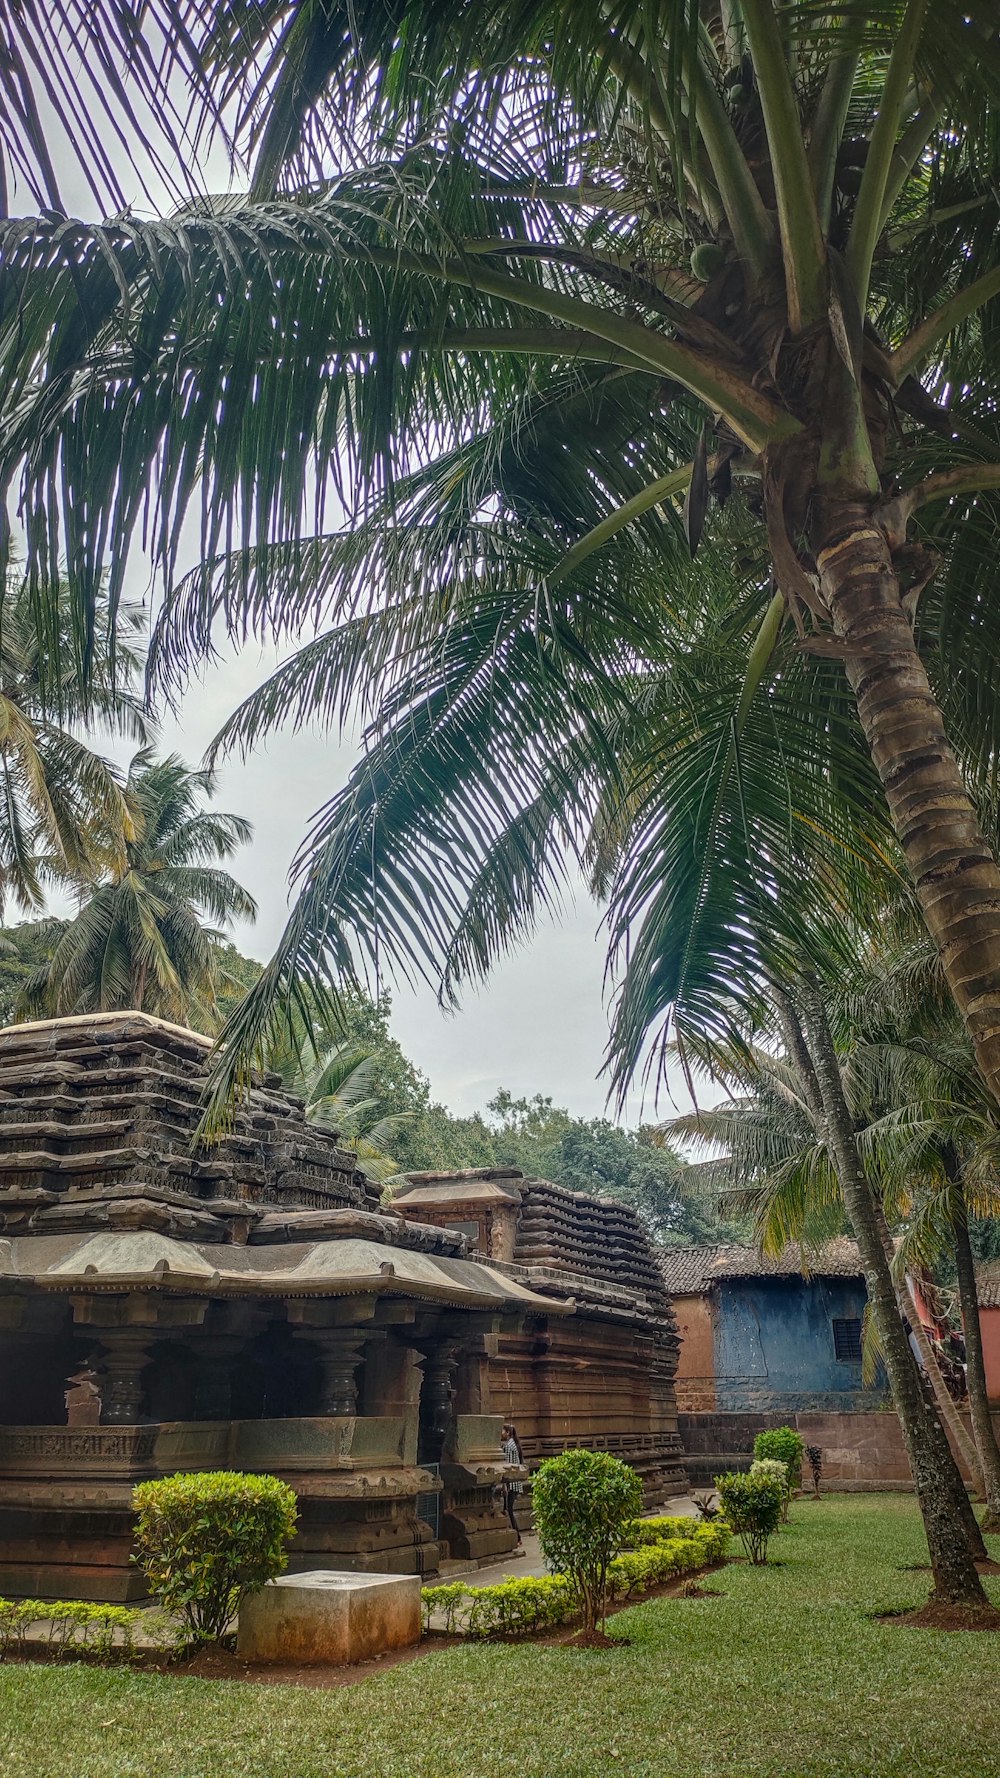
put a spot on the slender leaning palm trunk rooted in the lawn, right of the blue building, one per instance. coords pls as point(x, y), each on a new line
point(940, 1491)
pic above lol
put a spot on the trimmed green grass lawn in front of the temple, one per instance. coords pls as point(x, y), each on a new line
point(787, 1674)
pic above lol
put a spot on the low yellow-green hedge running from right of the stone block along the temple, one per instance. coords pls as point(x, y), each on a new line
point(522, 1606)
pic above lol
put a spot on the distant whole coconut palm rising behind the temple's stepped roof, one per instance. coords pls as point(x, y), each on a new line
point(140, 938)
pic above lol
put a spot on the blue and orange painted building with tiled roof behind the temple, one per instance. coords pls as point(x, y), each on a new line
point(775, 1334)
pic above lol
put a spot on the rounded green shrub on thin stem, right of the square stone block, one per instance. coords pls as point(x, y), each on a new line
point(585, 1505)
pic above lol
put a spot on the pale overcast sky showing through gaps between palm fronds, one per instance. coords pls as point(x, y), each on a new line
point(540, 1025)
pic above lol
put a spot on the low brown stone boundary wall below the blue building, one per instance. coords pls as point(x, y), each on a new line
point(860, 1450)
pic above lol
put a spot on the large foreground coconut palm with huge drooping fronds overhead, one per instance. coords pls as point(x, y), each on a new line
point(517, 287)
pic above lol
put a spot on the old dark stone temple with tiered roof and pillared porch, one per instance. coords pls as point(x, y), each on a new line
point(254, 1306)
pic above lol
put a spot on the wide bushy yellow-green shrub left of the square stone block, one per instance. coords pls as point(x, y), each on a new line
point(204, 1541)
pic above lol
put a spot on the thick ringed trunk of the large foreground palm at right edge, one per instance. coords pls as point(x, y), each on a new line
point(953, 865)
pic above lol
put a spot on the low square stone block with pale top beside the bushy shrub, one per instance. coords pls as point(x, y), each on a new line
point(332, 1619)
